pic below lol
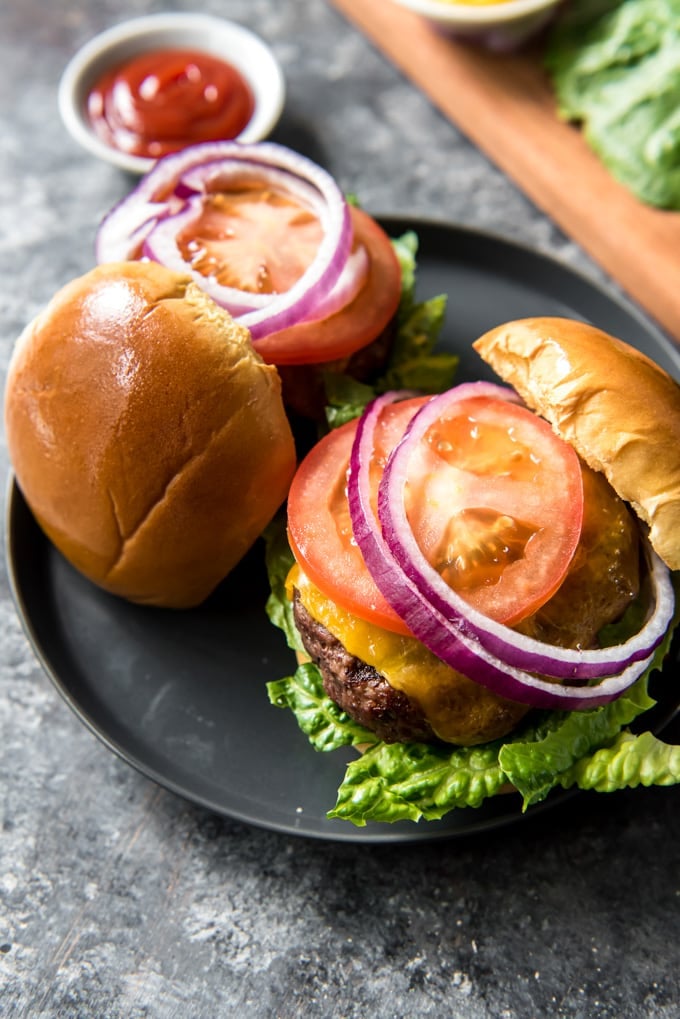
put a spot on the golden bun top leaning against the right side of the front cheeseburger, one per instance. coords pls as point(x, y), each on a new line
point(618, 409)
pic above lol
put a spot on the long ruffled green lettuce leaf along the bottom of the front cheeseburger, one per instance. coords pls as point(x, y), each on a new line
point(588, 749)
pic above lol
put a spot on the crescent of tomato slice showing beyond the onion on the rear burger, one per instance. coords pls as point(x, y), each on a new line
point(354, 327)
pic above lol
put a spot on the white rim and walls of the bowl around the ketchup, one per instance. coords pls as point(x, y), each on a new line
point(233, 43)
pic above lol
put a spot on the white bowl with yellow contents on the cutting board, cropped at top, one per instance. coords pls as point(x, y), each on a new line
point(502, 26)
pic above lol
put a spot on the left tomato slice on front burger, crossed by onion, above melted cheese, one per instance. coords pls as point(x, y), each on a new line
point(319, 517)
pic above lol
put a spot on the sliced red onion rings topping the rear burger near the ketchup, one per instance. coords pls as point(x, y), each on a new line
point(144, 222)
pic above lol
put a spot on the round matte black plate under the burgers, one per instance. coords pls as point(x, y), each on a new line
point(182, 695)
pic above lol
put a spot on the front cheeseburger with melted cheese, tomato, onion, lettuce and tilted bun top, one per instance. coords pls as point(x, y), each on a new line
point(483, 580)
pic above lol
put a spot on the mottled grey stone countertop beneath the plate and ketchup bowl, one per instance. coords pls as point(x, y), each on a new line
point(119, 899)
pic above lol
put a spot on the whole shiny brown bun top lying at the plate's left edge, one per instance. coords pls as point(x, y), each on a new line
point(147, 437)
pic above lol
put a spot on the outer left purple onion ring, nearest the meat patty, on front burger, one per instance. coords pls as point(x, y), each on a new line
point(463, 652)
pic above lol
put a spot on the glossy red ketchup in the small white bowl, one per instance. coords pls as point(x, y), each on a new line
point(164, 101)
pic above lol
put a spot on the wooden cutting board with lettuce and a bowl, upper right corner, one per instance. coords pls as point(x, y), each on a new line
point(503, 102)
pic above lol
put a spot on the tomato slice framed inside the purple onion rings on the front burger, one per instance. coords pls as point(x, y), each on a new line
point(495, 500)
